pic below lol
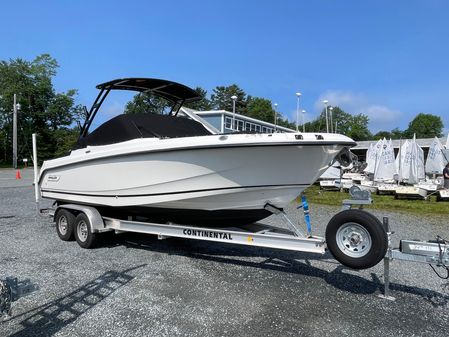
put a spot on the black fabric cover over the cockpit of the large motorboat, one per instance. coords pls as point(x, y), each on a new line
point(131, 126)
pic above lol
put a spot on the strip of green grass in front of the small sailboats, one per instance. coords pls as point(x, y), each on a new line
point(383, 202)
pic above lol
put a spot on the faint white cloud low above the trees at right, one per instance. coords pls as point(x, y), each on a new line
point(380, 116)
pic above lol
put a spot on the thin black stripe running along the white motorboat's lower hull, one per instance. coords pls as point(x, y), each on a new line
point(169, 193)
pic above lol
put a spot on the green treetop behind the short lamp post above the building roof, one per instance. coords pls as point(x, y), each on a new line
point(221, 98)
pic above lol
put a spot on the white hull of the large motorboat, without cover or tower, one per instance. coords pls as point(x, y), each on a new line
point(193, 183)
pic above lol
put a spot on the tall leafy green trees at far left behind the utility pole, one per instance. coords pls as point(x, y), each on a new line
point(43, 110)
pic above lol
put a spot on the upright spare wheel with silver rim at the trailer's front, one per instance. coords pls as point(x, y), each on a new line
point(356, 239)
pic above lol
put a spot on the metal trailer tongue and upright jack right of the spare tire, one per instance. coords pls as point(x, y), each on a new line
point(434, 253)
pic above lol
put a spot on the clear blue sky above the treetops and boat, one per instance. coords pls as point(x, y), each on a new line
point(386, 59)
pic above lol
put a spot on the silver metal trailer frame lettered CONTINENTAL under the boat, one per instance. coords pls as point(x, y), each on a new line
point(256, 235)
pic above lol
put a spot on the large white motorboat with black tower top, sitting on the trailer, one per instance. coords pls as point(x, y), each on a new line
point(174, 169)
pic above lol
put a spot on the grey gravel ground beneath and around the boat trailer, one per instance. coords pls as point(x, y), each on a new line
point(136, 285)
